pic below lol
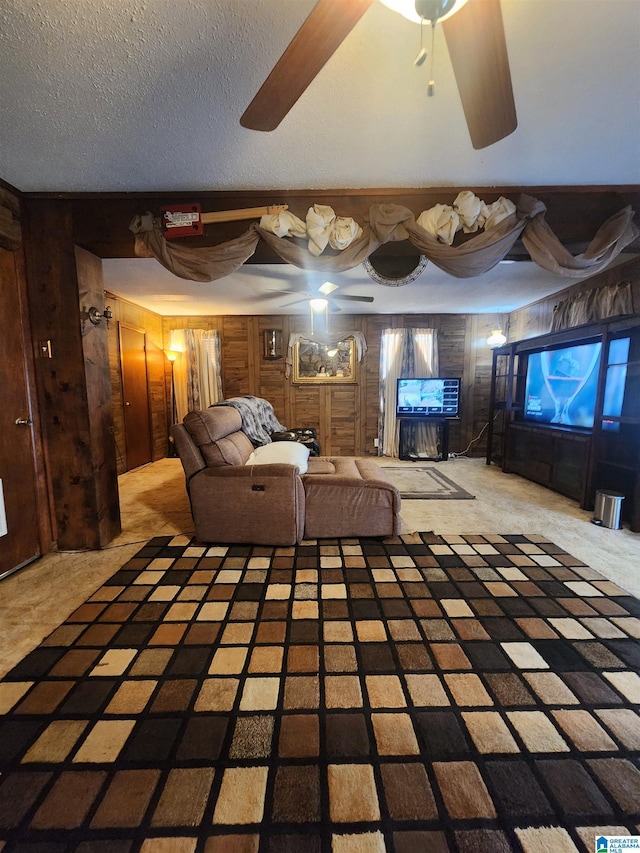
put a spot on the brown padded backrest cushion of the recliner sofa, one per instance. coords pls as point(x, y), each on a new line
point(218, 435)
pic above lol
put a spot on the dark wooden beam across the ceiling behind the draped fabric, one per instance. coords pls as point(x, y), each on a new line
point(101, 220)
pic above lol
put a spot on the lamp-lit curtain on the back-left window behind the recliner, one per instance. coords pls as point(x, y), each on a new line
point(197, 373)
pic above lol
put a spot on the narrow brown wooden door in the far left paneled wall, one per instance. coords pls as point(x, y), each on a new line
point(135, 396)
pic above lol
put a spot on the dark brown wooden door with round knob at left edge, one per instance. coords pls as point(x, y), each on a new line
point(18, 509)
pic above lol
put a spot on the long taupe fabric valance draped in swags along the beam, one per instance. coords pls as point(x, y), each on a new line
point(390, 223)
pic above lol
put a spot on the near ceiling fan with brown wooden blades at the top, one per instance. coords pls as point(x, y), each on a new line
point(477, 47)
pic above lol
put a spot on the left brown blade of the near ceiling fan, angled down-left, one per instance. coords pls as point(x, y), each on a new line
point(329, 23)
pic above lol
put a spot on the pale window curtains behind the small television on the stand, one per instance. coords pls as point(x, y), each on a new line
point(405, 353)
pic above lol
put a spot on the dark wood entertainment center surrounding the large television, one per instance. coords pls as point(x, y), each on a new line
point(573, 461)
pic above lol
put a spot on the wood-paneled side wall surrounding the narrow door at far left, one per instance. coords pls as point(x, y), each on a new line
point(158, 376)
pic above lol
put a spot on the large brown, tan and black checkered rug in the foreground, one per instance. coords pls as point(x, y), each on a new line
point(421, 693)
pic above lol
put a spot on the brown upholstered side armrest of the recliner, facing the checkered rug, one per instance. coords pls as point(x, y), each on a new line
point(260, 504)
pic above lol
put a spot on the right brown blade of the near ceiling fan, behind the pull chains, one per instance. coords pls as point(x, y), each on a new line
point(478, 51)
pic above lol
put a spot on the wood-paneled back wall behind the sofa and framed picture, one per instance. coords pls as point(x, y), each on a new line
point(346, 416)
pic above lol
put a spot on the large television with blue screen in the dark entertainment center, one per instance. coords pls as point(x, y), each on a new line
point(561, 385)
